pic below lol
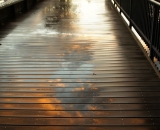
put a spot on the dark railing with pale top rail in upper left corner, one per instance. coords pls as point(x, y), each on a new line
point(11, 8)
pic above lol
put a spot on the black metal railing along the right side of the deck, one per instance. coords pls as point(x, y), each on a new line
point(143, 19)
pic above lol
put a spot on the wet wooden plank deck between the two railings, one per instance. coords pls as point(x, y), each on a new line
point(82, 71)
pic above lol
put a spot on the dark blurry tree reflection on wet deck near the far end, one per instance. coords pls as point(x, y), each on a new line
point(61, 17)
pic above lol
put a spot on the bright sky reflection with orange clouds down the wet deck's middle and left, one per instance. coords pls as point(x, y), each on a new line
point(72, 45)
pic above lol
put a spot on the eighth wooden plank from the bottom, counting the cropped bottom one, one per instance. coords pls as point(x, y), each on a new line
point(81, 85)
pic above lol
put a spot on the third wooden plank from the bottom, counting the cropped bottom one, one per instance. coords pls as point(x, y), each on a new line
point(76, 114)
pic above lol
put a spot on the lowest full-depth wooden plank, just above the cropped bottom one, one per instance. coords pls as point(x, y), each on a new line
point(76, 121)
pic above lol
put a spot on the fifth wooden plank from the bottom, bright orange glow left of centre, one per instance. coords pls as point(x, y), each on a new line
point(79, 100)
